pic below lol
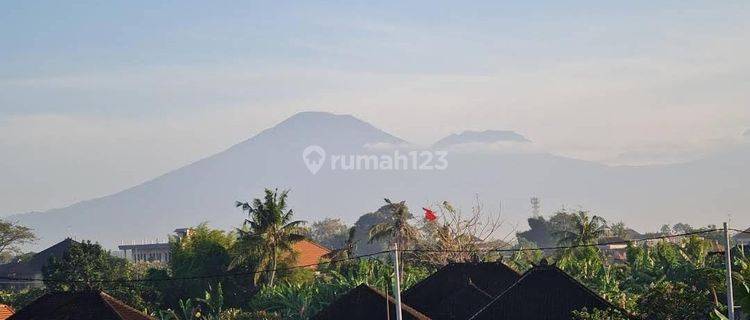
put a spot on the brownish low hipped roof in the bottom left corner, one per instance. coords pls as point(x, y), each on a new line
point(86, 305)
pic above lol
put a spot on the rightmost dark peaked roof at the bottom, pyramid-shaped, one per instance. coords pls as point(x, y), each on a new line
point(544, 293)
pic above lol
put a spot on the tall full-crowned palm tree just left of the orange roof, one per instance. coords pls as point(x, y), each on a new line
point(268, 234)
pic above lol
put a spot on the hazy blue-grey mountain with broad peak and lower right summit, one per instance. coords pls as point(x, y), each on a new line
point(699, 192)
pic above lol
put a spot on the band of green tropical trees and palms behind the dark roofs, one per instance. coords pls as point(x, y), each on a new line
point(253, 276)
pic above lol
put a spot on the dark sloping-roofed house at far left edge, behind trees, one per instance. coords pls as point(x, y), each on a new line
point(32, 267)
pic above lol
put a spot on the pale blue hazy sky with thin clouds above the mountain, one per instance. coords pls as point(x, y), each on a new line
point(98, 96)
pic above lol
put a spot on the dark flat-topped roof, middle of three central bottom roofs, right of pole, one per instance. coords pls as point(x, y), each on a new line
point(437, 290)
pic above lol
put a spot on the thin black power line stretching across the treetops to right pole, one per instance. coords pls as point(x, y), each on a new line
point(237, 274)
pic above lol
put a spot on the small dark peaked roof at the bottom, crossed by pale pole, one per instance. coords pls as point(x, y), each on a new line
point(366, 303)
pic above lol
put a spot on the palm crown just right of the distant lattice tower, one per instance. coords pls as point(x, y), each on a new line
point(581, 229)
